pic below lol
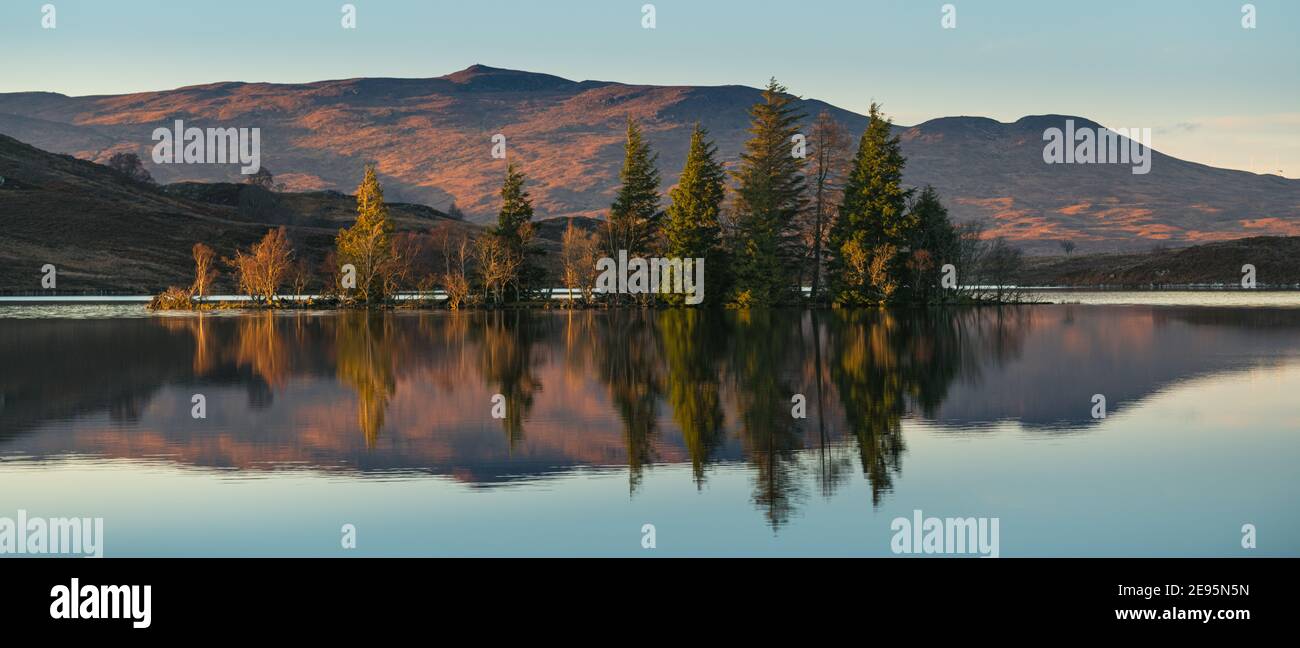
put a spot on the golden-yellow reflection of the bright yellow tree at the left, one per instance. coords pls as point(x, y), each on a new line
point(366, 351)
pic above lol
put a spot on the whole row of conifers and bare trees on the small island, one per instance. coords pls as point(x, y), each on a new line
point(798, 211)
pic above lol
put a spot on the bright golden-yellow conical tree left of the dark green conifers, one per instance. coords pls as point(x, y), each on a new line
point(367, 244)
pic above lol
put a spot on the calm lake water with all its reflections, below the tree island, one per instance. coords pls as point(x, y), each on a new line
point(677, 420)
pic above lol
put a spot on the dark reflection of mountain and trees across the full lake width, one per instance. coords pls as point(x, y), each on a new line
point(414, 394)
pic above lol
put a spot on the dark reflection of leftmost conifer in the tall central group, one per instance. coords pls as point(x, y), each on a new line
point(632, 371)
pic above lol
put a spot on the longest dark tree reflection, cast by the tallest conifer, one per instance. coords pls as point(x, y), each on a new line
point(761, 369)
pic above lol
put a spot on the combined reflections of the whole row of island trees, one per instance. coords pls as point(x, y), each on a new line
point(723, 379)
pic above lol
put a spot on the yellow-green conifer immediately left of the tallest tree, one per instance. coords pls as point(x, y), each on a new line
point(692, 226)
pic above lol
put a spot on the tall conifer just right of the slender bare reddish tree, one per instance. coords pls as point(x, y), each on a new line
point(874, 222)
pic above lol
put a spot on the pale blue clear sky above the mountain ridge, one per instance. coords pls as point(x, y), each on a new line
point(1210, 90)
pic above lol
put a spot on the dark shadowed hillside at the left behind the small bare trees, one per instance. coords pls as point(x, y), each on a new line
point(103, 232)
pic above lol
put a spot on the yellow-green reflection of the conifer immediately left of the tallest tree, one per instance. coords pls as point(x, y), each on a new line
point(692, 347)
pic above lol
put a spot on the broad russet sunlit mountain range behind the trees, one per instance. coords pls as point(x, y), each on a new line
point(432, 140)
